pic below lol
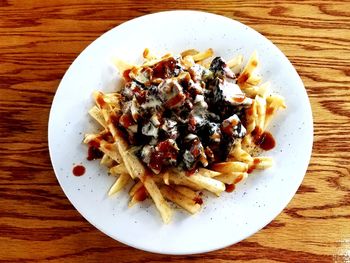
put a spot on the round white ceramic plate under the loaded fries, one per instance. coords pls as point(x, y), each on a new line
point(222, 221)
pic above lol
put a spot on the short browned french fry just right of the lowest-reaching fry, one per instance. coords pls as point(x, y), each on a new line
point(180, 199)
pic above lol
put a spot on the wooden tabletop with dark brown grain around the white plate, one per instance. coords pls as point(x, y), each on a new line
point(39, 40)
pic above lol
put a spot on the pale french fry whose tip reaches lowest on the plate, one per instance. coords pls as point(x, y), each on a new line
point(158, 199)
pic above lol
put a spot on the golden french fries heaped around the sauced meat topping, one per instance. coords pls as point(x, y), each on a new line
point(175, 185)
